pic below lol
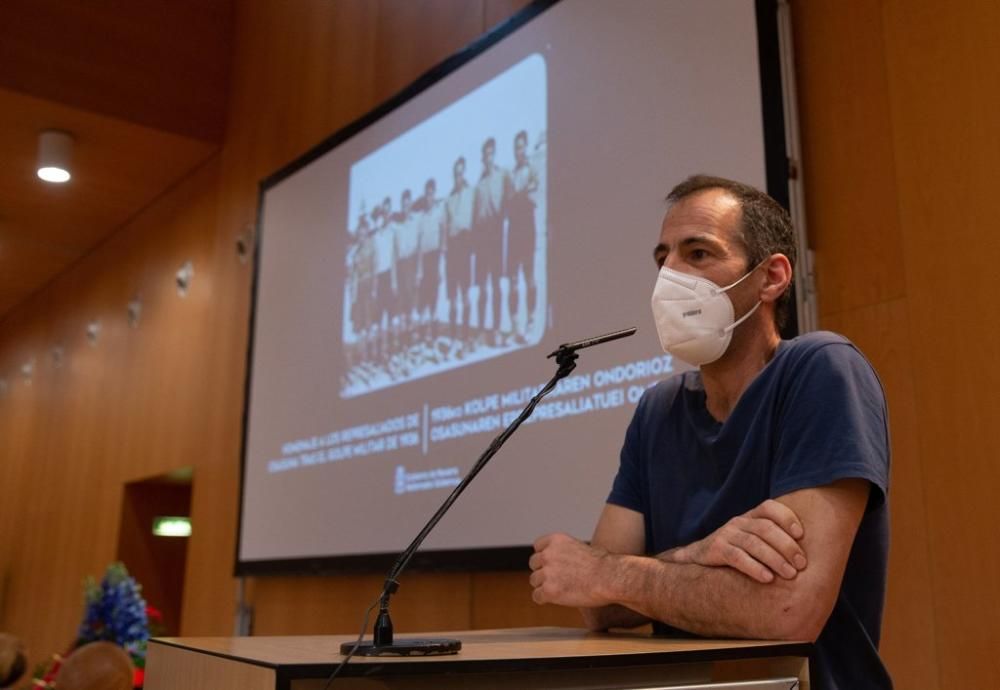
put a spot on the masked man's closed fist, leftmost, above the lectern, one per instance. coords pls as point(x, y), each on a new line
point(567, 571)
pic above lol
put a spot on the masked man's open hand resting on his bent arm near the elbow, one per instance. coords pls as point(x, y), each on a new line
point(761, 543)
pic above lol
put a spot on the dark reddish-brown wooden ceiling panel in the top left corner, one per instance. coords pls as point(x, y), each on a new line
point(160, 63)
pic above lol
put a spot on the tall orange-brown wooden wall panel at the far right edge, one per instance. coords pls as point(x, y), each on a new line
point(944, 64)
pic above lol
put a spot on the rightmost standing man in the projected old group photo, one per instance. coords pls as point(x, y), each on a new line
point(521, 230)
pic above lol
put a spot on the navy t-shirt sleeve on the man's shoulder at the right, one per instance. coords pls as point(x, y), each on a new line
point(833, 424)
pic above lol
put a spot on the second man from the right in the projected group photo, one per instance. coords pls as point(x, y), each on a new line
point(489, 205)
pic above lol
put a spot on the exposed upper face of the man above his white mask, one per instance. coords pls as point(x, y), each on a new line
point(700, 236)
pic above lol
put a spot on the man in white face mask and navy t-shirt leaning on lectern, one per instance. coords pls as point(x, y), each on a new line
point(751, 496)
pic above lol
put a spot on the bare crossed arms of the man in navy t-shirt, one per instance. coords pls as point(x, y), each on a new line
point(750, 578)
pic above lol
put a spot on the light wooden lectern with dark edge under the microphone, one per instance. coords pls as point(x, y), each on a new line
point(508, 659)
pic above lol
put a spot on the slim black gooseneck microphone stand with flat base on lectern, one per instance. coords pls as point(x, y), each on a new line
point(382, 643)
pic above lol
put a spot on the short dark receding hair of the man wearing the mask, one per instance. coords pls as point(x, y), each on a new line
point(765, 226)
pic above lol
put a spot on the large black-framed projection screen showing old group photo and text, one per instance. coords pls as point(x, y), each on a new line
point(414, 270)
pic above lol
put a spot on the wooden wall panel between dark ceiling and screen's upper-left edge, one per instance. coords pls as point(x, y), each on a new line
point(301, 70)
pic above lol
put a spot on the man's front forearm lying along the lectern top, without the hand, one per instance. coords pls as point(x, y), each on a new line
point(712, 601)
